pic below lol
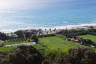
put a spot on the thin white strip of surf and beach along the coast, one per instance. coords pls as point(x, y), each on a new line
point(55, 27)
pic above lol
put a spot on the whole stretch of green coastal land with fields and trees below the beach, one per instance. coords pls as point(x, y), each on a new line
point(59, 48)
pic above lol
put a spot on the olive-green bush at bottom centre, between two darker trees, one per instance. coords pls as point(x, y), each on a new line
point(54, 57)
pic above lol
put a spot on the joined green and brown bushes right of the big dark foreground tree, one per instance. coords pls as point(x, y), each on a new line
point(74, 56)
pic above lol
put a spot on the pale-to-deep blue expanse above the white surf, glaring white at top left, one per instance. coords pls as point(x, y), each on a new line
point(17, 14)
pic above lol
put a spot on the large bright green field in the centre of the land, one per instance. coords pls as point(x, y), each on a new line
point(59, 43)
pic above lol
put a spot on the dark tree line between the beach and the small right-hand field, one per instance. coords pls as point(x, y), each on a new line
point(77, 32)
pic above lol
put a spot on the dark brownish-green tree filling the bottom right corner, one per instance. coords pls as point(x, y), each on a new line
point(81, 56)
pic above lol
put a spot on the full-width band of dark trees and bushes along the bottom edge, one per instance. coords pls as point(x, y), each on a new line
point(30, 55)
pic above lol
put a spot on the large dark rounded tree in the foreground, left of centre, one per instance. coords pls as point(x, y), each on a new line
point(25, 55)
